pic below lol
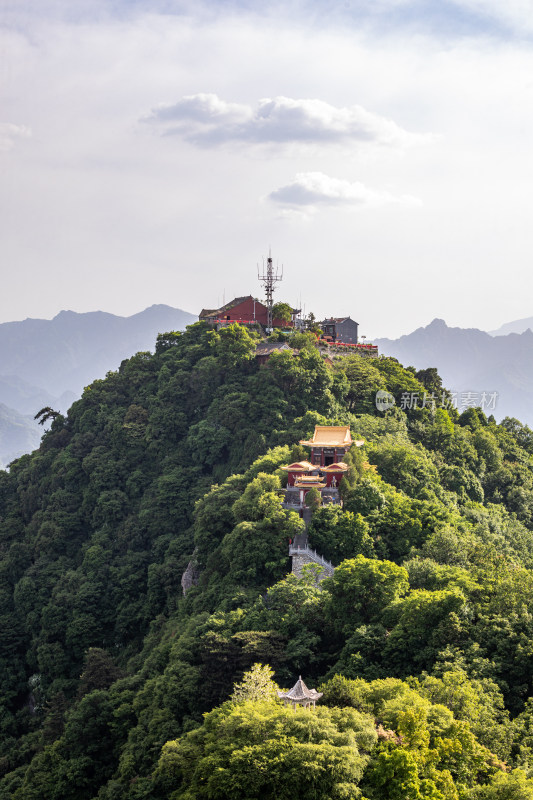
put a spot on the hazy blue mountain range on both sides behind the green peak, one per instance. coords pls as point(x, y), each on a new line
point(49, 362)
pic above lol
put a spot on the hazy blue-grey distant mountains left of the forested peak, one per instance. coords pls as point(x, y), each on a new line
point(49, 362)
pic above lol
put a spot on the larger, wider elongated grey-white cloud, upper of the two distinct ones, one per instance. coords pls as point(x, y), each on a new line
point(205, 119)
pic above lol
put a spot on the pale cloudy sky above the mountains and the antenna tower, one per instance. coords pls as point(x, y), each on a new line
point(152, 151)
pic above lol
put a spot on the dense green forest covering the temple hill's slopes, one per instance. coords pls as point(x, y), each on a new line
point(116, 686)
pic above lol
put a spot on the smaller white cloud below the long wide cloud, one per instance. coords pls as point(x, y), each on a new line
point(311, 189)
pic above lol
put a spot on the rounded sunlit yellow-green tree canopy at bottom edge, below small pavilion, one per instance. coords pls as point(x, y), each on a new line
point(262, 750)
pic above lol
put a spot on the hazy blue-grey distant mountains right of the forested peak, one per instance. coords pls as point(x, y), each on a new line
point(470, 360)
